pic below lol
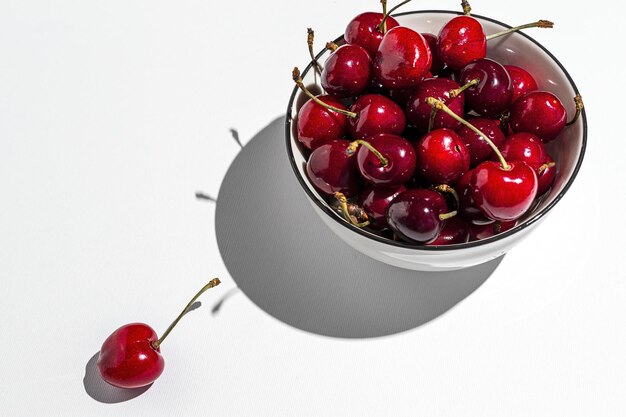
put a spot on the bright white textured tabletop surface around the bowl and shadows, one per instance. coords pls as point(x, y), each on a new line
point(112, 114)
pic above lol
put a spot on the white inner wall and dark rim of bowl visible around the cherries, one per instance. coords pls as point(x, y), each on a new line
point(514, 49)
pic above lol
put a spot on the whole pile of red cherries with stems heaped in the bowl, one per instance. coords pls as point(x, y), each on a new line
point(423, 138)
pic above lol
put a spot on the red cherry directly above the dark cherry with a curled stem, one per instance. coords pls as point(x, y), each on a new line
point(375, 114)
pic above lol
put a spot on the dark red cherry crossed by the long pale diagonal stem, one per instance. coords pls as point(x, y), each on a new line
point(477, 147)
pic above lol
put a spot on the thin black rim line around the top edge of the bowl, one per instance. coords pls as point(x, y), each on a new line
point(438, 248)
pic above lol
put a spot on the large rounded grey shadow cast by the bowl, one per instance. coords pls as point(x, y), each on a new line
point(292, 266)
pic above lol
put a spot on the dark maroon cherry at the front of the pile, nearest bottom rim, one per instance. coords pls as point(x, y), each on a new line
point(414, 215)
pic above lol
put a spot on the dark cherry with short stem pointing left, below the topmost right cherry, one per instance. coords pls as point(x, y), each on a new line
point(493, 94)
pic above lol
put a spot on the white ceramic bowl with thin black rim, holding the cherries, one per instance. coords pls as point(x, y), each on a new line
point(567, 150)
